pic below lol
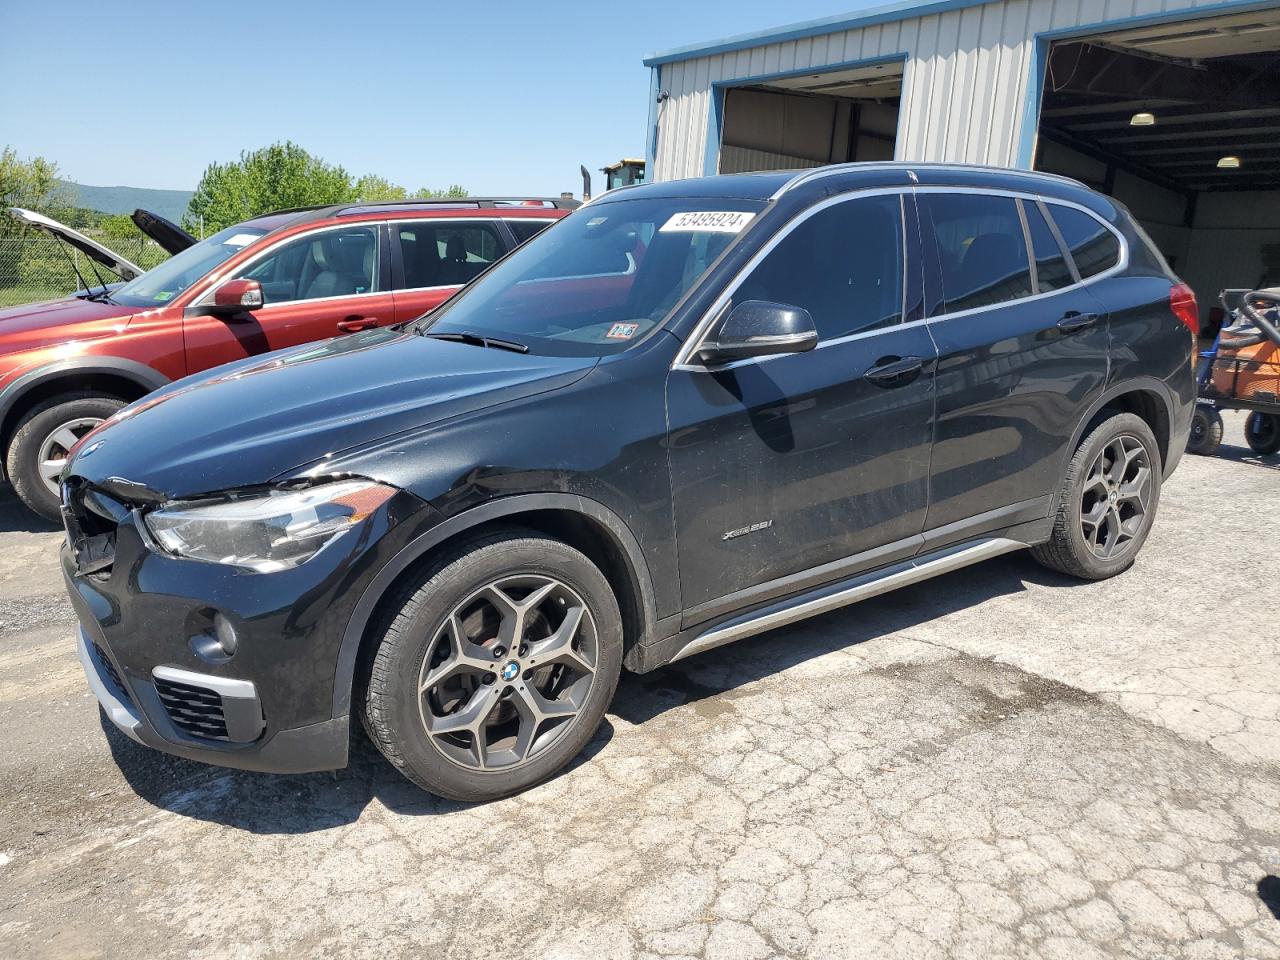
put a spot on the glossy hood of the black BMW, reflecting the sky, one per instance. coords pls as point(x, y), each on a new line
point(249, 423)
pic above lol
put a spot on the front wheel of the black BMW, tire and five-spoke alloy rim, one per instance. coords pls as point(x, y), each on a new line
point(495, 668)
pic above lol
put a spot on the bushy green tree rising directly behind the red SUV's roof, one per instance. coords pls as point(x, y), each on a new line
point(273, 179)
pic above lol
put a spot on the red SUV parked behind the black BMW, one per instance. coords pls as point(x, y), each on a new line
point(278, 281)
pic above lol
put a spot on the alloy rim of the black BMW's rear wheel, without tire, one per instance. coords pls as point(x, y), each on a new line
point(1117, 497)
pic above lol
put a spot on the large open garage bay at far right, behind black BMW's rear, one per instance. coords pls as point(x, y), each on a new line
point(1181, 122)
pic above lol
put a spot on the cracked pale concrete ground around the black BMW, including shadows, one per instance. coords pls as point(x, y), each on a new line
point(995, 765)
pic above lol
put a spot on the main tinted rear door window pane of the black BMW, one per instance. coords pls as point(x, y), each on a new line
point(981, 248)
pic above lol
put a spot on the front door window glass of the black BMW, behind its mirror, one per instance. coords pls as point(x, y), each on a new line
point(844, 266)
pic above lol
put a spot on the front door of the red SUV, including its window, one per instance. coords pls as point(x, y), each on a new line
point(321, 285)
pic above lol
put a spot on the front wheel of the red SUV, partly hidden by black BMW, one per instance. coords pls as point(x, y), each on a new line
point(42, 442)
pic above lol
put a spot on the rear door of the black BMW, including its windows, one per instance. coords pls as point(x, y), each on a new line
point(1022, 356)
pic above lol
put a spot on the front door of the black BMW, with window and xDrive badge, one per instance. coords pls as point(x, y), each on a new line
point(798, 469)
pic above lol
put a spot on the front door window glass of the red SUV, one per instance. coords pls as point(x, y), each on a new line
point(327, 264)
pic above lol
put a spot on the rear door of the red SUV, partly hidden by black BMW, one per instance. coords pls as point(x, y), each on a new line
point(433, 258)
